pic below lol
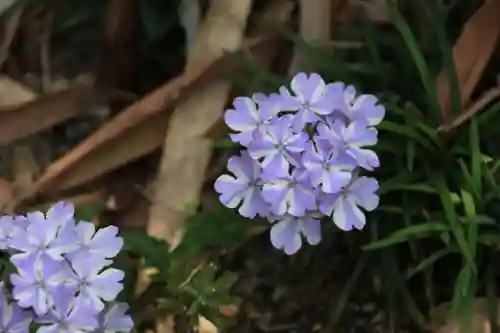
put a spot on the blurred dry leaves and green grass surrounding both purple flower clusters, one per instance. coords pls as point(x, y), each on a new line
point(116, 106)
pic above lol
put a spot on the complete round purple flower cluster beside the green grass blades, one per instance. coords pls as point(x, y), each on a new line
point(303, 152)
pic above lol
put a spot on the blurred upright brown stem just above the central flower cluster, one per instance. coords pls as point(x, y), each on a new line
point(314, 24)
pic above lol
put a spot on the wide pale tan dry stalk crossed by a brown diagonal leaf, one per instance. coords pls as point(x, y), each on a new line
point(186, 152)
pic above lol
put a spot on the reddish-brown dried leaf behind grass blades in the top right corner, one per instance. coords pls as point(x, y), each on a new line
point(471, 54)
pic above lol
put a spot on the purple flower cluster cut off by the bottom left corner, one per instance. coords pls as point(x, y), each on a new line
point(63, 282)
